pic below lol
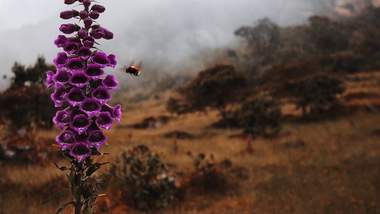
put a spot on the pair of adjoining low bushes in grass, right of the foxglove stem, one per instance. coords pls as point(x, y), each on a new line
point(144, 182)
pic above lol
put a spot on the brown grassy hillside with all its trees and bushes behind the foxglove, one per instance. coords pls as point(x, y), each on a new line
point(287, 122)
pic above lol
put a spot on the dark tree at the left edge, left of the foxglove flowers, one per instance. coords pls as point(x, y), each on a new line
point(26, 103)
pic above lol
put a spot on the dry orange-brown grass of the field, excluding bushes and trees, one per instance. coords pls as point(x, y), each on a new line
point(328, 166)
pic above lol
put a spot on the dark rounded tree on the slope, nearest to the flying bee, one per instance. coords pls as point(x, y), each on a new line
point(215, 87)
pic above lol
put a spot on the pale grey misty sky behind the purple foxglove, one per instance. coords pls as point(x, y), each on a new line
point(168, 31)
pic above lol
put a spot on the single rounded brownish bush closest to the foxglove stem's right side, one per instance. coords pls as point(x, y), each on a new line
point(144, 180)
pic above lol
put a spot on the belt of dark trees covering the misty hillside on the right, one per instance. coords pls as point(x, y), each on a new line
point(305, 65)
